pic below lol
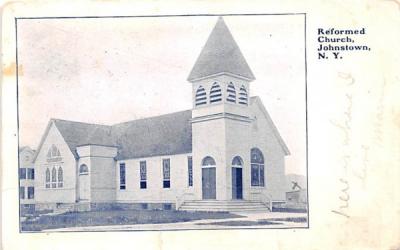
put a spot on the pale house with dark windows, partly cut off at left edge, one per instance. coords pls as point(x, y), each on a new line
point(26, 180)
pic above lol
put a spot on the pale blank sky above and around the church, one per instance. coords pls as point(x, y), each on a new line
point(111, 70)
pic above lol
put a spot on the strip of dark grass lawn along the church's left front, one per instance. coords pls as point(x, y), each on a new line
point(120, 217)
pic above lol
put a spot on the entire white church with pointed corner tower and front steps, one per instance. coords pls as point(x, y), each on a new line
point(224, 154)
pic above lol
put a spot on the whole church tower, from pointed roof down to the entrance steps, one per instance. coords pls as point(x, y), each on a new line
point(220, 116)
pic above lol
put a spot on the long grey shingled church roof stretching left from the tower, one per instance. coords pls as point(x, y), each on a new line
point(156, 136)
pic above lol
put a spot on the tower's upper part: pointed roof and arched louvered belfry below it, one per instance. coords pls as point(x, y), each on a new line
point(220, 73)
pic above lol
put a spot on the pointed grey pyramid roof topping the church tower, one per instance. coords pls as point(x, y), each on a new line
point(220, 54)
